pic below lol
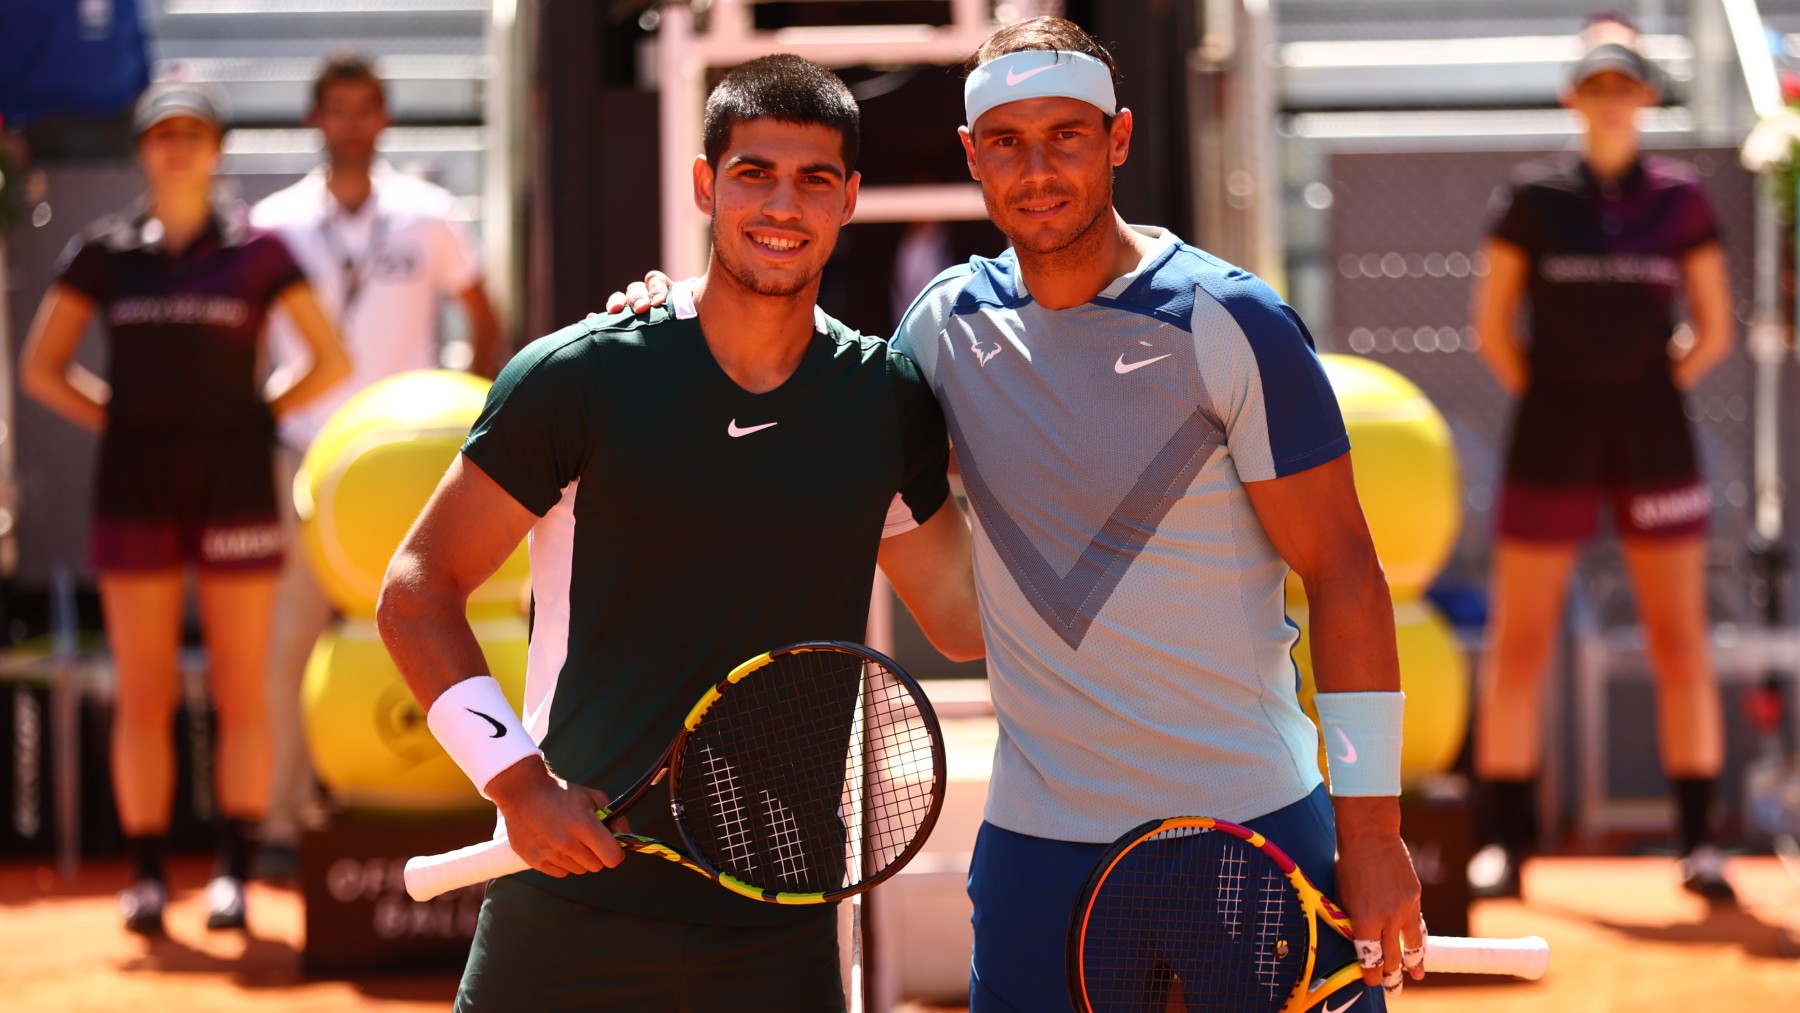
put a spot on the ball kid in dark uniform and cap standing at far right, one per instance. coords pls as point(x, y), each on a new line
point(1603, 247)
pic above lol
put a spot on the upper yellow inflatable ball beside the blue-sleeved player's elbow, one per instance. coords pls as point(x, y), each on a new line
point(1405, 472)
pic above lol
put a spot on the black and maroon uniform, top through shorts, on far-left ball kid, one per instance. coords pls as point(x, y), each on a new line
point(186, 469)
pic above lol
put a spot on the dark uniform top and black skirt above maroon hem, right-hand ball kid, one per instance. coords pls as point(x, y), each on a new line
point(1601, 406)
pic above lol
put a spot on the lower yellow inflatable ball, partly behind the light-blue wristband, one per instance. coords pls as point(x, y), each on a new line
point(1435, 679)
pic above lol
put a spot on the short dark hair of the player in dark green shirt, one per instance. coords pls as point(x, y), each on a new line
point(787, 89)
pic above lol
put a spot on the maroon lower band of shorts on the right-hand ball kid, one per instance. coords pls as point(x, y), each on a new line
point(1549, 514)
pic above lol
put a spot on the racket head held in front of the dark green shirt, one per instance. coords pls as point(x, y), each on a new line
point(809, 775)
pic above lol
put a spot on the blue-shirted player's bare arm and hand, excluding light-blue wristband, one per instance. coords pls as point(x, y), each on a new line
point(1317, 524)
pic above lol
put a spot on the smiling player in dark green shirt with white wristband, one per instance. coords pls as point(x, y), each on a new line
point(701, 485)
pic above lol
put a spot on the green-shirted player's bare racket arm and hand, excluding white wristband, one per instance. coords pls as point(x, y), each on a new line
point(469, 528)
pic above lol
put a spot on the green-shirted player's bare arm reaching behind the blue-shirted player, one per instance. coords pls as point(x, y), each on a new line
point(933, 571)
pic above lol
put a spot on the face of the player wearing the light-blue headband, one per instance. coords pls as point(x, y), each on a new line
point(1047, 170)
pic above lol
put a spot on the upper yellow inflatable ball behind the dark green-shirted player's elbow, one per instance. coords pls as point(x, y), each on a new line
point(368, 474)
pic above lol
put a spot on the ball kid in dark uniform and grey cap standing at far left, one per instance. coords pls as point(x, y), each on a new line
point(184, 469)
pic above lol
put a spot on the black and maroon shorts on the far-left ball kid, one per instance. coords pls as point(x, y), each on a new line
point(166, 499)
